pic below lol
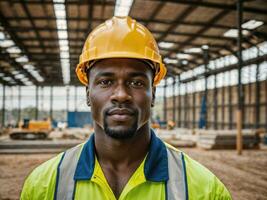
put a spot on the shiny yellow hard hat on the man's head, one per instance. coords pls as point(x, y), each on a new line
point(120, 37)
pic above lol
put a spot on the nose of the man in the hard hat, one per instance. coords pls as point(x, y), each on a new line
point(121, 94)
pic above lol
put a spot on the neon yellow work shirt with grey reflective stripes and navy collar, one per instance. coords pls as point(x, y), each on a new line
point(165, 173)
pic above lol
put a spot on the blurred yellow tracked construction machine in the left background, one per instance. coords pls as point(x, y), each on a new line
point(31, 130)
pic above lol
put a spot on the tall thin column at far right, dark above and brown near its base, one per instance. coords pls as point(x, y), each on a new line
point(239, 142)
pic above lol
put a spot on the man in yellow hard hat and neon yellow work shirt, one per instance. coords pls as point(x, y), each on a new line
point(120, 66)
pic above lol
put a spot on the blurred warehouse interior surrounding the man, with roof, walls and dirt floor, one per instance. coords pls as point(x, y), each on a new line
point(212, 102)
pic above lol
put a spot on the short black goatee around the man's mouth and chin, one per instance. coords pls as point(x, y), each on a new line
point(121, 134)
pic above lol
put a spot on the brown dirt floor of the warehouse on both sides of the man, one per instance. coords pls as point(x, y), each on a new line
point(245, 176)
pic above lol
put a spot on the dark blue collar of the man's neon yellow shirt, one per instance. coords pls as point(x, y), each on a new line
point(155, 168)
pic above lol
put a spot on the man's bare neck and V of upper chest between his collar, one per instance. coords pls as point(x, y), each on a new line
point(119, 159)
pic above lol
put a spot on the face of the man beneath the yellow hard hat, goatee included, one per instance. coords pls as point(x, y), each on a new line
point(120, 93)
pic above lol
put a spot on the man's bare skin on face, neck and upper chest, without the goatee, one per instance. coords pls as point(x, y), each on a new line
point(124, 85)
